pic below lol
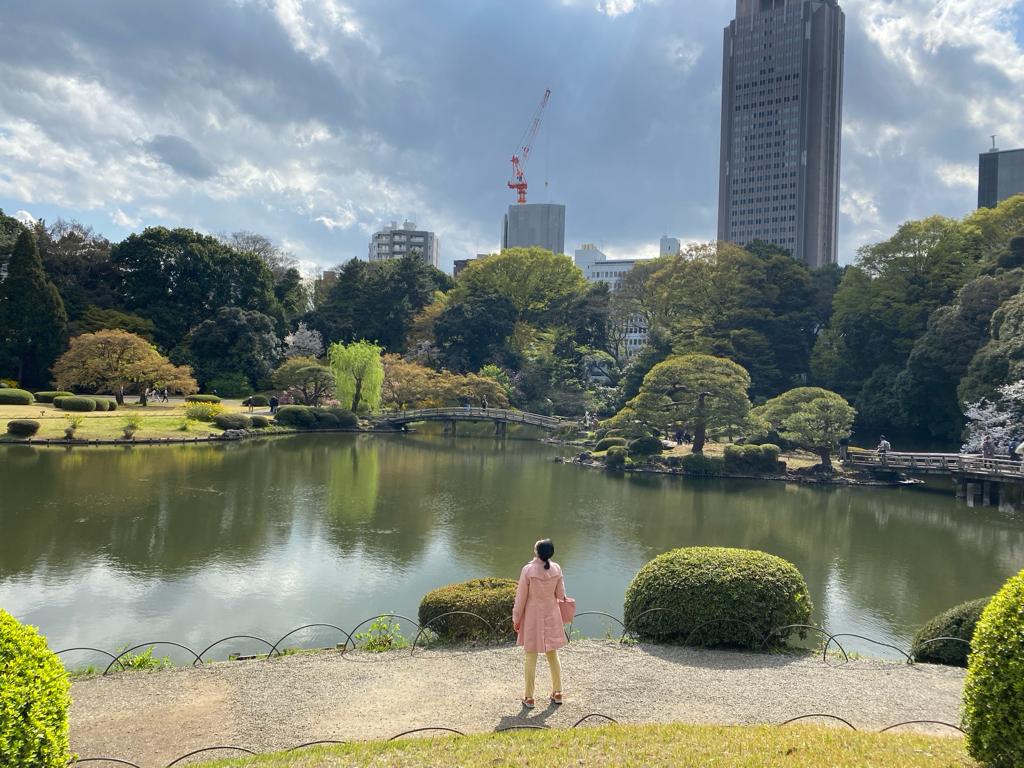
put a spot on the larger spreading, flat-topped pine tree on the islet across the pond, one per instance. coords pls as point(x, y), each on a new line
point(699, 392)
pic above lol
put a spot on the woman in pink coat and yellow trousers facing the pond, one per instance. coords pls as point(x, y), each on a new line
point(538, 621)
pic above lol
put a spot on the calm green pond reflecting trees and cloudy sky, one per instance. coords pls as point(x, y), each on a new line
point(112, 547)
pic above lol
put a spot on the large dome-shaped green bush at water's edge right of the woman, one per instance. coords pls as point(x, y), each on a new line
point(716, 596)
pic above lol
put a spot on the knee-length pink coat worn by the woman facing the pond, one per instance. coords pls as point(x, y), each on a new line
point(536, 610)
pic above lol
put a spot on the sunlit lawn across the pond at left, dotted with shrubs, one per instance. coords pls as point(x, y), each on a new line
point(160, 420)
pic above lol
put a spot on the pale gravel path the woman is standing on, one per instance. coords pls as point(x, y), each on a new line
point(151, 718)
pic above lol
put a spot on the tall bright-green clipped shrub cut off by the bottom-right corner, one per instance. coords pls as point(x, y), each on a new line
point(994, 693)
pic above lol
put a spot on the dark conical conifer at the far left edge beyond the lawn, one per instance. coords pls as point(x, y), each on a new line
point(33, 322)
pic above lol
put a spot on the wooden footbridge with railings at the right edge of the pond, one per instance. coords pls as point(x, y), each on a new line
point(992, 481)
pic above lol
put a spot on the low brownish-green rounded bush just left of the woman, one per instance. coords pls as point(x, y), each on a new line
point(491, 600)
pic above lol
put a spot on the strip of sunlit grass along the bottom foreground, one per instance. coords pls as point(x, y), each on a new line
point(675, 746)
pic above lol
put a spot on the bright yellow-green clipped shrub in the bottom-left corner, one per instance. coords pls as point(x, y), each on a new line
point(34, 700)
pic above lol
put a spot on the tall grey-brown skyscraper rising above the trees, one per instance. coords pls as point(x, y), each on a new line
point(782, 123)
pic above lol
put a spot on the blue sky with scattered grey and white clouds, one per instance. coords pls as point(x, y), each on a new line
point(315, 122)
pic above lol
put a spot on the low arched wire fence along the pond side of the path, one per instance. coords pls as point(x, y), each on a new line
point(499, 635)
